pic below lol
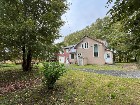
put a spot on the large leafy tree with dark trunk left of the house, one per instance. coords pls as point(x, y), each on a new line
point(30, 24)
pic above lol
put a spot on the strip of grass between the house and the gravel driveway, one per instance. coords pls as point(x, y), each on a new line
point(117, 66)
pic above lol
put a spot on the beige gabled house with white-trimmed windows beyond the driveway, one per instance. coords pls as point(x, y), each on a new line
point(88, 51)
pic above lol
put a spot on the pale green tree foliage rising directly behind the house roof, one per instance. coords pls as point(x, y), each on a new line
point(114, 34)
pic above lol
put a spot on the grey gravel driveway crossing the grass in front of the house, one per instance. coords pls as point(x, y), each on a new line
point(119, 73)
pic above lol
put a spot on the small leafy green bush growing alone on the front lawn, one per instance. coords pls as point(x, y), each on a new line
point(52, 72)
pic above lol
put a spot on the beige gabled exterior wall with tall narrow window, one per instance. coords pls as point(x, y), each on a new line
point(88, 53)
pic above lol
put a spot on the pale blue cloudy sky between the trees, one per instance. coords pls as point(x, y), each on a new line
point(82, 13)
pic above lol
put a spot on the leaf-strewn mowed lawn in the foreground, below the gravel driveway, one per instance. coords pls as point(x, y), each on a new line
point(74, 88)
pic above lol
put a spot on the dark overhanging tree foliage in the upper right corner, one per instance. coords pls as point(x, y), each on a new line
point(128, 13)
